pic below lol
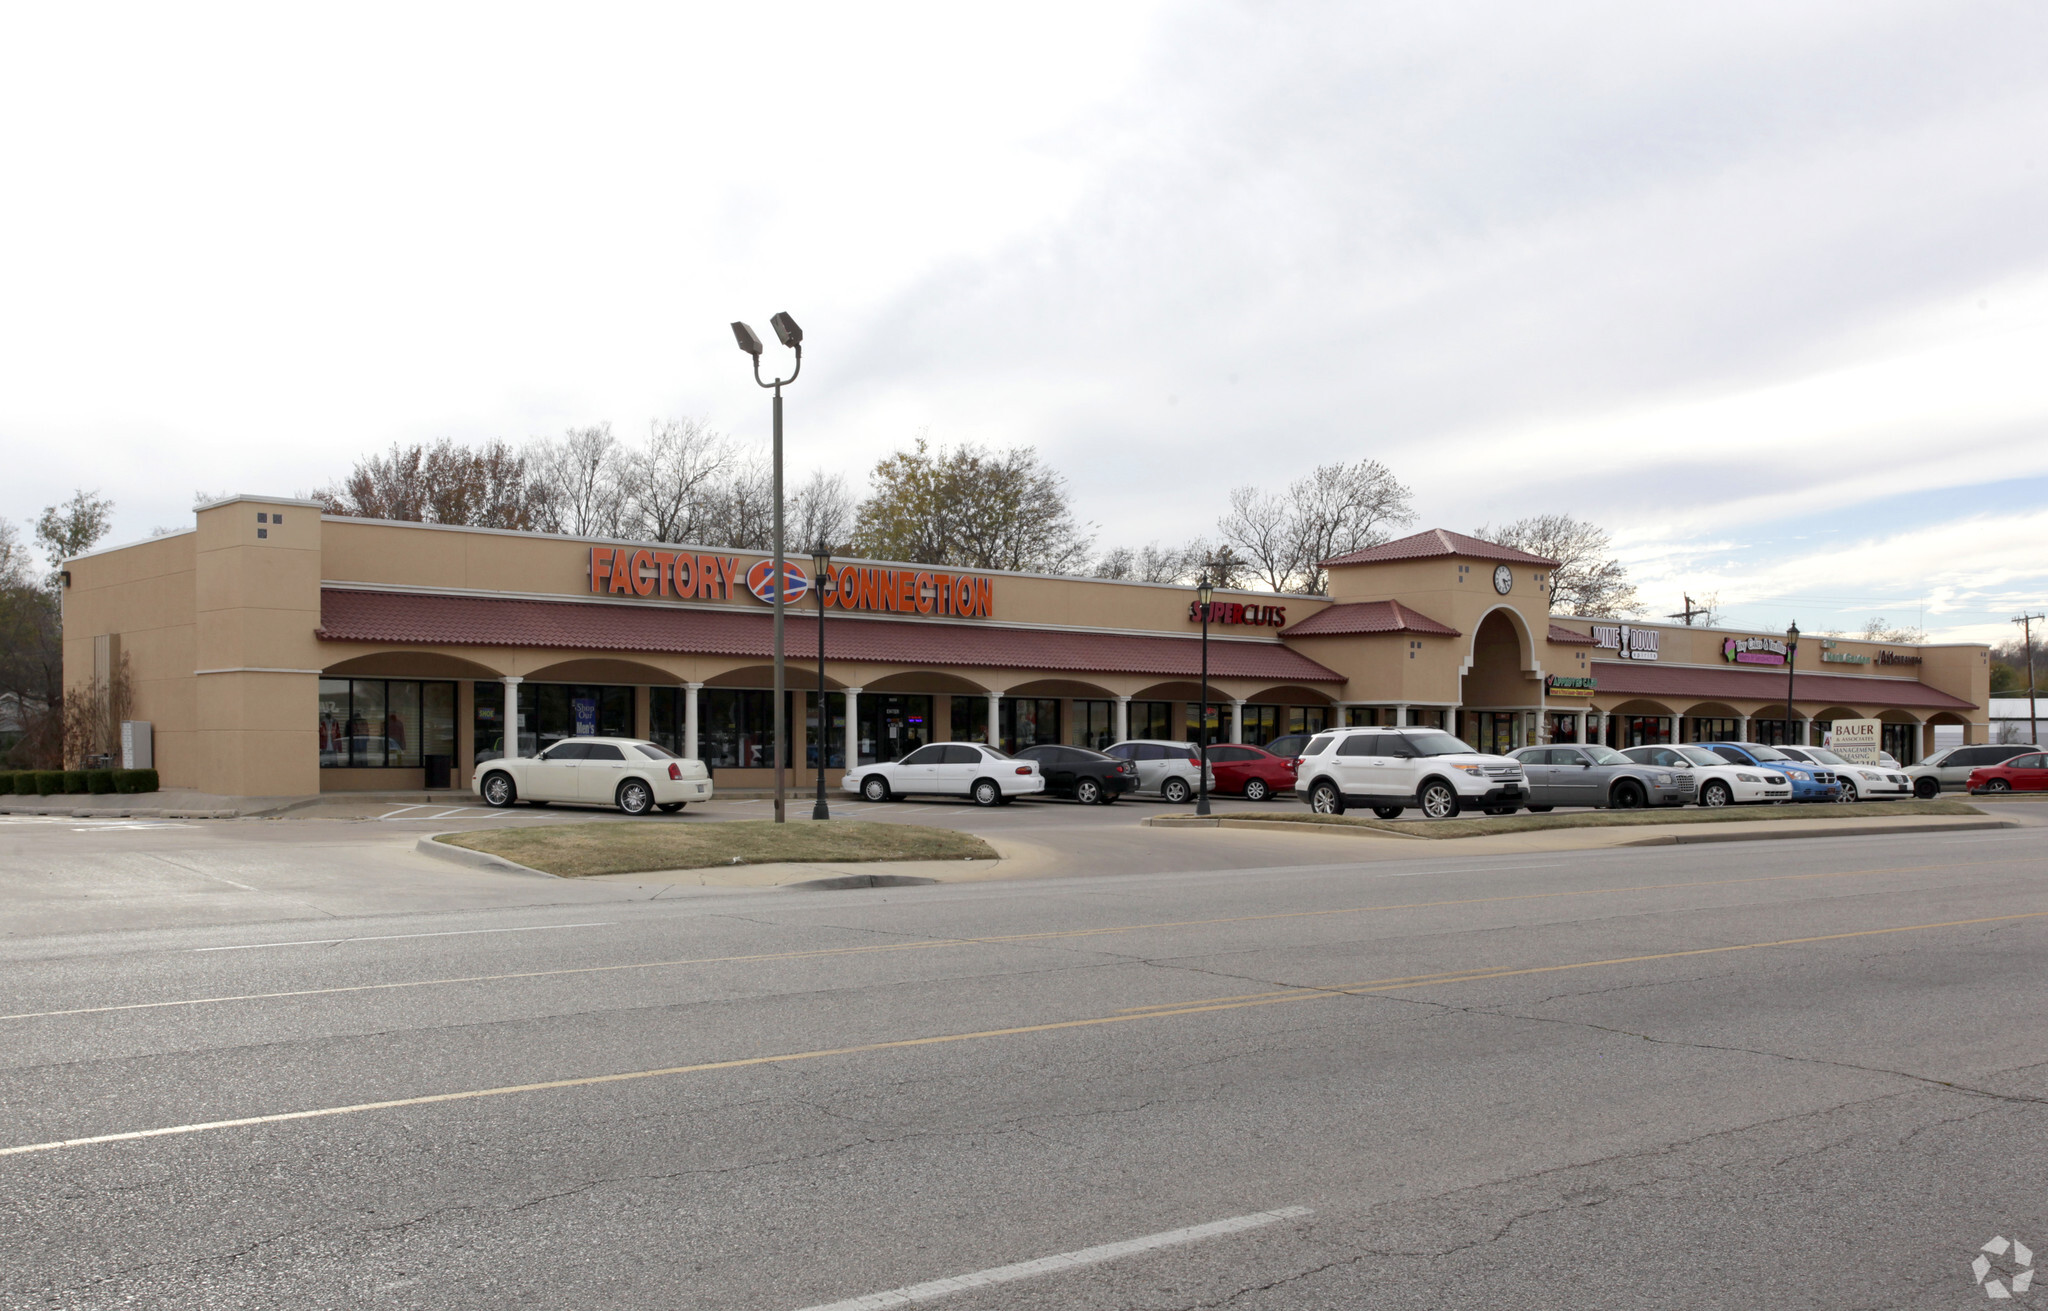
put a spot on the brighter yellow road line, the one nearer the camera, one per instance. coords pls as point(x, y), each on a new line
point(1185, 1009)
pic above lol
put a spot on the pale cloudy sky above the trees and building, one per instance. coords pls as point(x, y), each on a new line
point(1760, 288)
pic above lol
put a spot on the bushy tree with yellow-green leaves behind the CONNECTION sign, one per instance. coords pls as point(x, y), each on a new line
point(972, 509)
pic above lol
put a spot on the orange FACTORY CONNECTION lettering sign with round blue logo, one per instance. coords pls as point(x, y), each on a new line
point(687, 577)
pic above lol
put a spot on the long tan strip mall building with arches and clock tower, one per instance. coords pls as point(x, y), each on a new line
point(280, 650)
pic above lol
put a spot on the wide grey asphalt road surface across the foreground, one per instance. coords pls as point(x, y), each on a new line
point(1775, 1074)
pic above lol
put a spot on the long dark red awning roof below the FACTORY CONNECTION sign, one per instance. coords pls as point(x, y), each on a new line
point(505, 622)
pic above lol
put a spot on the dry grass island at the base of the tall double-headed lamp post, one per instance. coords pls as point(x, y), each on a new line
point(630, 849)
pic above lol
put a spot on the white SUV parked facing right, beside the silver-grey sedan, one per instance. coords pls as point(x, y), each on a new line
point(1396, 769)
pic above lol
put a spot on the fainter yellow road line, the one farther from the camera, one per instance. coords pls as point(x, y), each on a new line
point(980, 941)
